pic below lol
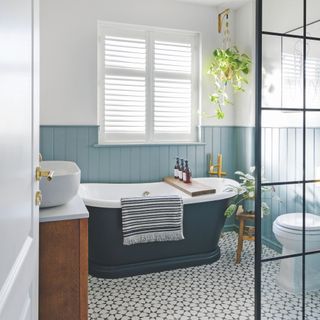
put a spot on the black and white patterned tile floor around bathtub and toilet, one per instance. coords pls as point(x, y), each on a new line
point(219, 291)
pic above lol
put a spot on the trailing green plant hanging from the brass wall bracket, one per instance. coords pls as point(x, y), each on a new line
point(229, 68)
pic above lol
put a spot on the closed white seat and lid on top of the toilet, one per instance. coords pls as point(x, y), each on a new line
point(293, 222)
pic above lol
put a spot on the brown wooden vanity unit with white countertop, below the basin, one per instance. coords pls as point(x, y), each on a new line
point(63, 262)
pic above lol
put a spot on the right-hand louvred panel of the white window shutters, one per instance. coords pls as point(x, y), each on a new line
point(172, 91)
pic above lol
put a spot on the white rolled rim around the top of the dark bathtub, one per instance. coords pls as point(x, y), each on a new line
point(105, 203)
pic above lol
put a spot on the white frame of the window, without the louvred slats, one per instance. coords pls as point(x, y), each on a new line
point(151, 33)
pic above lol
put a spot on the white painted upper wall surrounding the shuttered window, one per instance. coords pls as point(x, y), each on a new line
point(69, 50)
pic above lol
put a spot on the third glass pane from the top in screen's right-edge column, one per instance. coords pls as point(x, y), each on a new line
point(313, 145)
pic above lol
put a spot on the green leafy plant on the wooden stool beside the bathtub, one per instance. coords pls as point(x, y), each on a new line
point(247, 192)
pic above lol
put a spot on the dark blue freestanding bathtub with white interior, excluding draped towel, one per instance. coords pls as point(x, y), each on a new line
point(202, 225)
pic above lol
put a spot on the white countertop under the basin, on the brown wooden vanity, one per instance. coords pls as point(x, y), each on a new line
point(74, 209)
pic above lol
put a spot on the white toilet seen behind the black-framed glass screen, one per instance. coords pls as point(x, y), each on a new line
point(287, 229)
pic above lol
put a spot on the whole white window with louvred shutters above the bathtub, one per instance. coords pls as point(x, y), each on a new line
point(148, 84)
